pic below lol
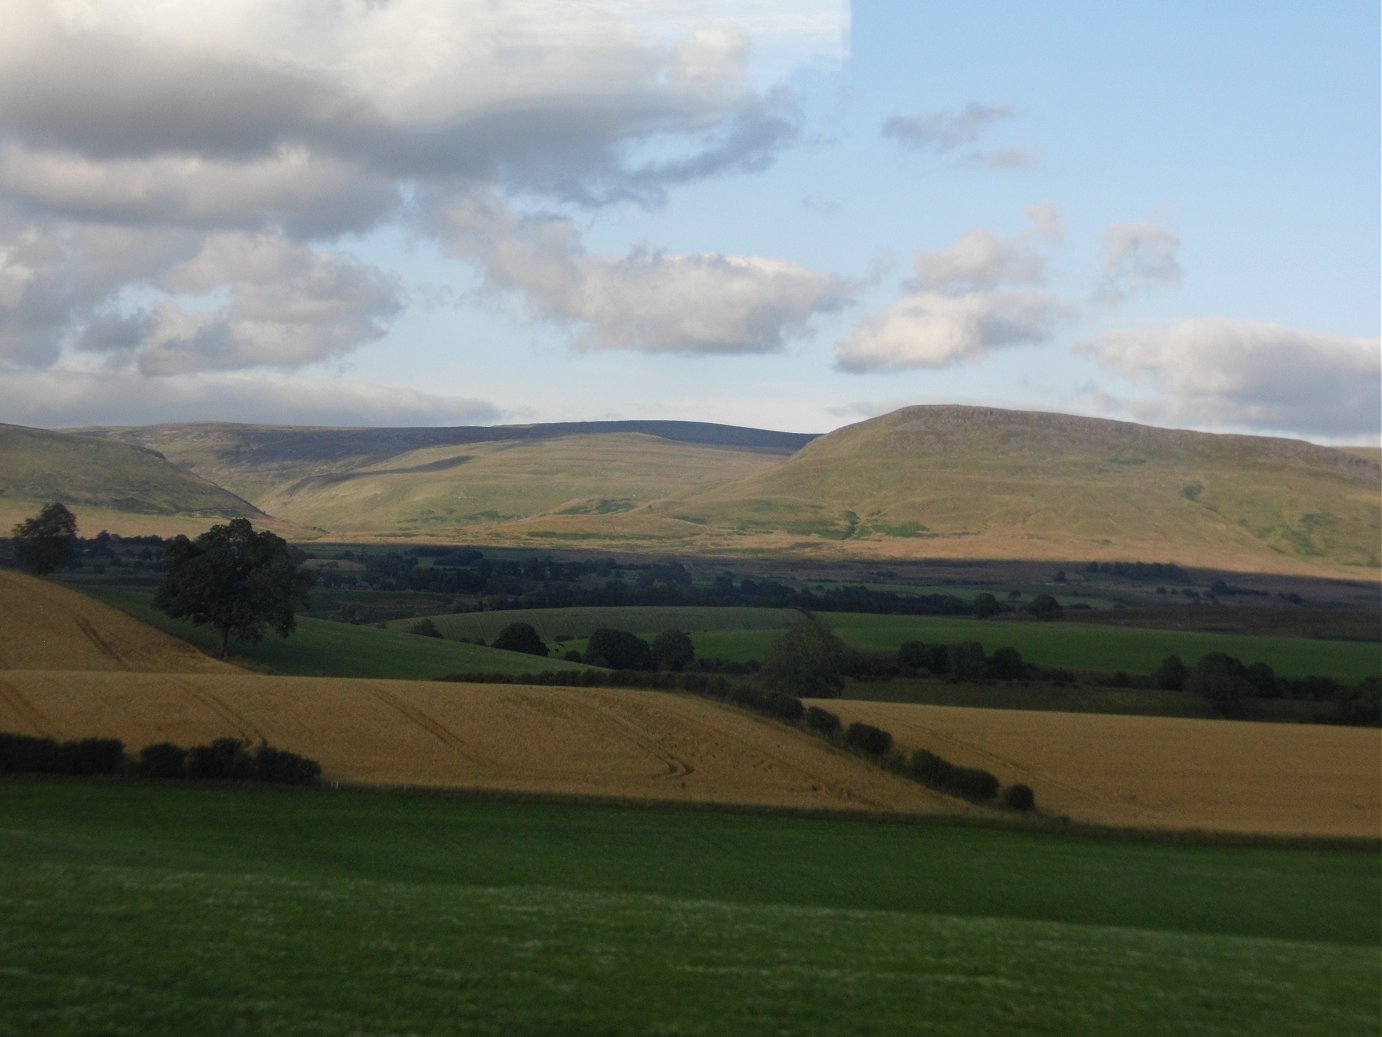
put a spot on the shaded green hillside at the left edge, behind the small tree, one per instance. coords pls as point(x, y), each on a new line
point(38, 467)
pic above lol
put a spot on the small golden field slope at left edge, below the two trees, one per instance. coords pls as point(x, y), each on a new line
point(49, 627)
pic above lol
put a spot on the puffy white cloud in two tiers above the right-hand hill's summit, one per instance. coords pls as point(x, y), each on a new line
point(967, 299)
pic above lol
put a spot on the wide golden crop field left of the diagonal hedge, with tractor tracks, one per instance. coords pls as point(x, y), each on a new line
point(571, 742)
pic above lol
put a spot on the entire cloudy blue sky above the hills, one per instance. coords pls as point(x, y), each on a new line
point(788, 215)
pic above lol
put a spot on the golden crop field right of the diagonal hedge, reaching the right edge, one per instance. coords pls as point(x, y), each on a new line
point(1153, 772)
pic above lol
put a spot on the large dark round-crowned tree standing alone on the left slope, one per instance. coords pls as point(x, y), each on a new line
point(236, 580)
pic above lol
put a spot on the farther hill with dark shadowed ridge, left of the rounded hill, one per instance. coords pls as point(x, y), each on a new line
point(447, 482)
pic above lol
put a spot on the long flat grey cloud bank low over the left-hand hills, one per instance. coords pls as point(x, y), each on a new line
point(67, 398)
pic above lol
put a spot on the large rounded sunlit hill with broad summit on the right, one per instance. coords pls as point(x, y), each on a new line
point(958, 480)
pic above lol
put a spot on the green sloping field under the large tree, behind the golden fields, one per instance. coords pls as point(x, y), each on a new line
point(324, 649)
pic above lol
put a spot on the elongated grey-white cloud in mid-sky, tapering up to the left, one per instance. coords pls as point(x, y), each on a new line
point(652, 302)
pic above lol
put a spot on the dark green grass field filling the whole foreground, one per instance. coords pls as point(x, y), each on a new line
point(140, 909)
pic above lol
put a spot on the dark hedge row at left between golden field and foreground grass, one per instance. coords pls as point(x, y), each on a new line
point(225, 760)
